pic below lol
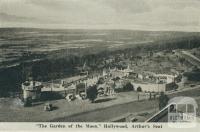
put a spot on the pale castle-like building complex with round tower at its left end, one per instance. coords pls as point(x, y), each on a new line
point(113, 79)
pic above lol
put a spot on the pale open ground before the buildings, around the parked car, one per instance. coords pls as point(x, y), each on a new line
point(63, 108)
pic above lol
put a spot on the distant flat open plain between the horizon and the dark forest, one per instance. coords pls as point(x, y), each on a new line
point(24, 44)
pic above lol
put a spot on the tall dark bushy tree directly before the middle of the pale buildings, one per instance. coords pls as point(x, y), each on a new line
point(92, 93)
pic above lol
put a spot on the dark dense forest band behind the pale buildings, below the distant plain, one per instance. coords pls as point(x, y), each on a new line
point(61, 66)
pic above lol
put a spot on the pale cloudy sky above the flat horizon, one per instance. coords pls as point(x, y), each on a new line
point(173, 15)
